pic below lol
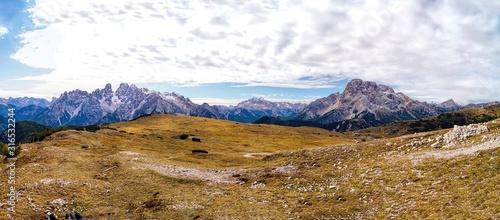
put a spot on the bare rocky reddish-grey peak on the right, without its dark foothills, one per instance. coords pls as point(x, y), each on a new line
point(369, 101)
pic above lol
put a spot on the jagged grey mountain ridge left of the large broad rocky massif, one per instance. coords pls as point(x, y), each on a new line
point(128, 101)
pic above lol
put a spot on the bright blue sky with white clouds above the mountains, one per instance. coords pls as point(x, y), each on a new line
point(224, 51)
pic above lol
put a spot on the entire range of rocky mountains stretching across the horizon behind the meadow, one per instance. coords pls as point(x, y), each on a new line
point(362, 104)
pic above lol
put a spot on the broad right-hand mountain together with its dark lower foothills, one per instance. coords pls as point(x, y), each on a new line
point(365, 104)
